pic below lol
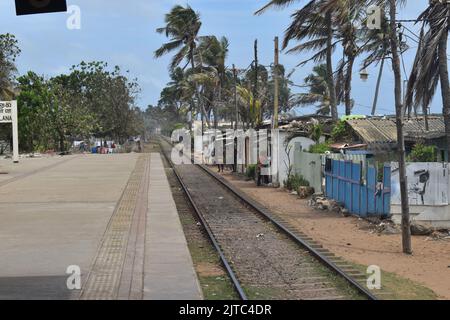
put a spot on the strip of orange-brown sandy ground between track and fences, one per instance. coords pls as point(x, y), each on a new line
point(348, 238)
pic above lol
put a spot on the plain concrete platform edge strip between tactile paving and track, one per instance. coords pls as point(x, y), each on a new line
point(168, 270)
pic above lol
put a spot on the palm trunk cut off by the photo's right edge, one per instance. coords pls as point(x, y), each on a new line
point(445, 90)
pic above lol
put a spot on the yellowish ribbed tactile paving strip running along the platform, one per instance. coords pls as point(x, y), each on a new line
point(104, 277)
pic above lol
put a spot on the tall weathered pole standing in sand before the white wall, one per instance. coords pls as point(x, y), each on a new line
point(406, 228)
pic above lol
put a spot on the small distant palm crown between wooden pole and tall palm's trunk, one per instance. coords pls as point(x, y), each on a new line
point(318, 93)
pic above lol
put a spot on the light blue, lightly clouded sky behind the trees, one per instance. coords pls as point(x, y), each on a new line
point(123, 33)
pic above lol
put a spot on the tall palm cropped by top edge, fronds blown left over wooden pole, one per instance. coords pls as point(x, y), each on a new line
point(313, 27)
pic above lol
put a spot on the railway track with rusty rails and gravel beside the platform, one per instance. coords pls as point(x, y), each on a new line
point(263, 257)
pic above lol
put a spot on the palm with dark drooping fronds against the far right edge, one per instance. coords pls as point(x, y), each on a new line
point(430, 65)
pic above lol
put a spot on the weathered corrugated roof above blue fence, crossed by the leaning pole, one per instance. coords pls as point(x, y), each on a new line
point(384, 130)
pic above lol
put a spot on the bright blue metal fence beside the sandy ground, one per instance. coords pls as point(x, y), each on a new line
point(364, 197)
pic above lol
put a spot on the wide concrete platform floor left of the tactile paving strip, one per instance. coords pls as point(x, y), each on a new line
point(53, 218)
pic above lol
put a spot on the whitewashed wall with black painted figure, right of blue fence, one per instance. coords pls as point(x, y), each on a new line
point(428, 184)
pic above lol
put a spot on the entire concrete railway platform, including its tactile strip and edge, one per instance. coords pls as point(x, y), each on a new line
point(111, 215)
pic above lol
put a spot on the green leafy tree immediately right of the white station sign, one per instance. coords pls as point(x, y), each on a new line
point(49, 115)
